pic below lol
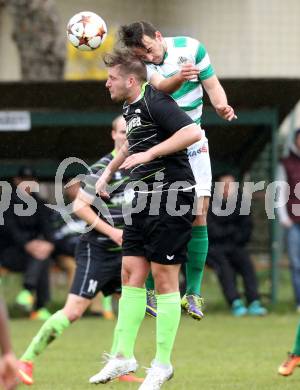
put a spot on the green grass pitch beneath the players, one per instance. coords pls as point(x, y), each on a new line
point(220, 352)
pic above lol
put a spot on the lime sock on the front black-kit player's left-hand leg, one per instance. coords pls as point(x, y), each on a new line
point(132, 307)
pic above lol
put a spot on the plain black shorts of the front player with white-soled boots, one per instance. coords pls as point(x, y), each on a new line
point(161, 238)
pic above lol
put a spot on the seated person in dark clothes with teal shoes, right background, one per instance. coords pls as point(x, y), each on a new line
point(227, 255)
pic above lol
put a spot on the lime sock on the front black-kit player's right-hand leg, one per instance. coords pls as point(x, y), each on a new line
point(167, 322)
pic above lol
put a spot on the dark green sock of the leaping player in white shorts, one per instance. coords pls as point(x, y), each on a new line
point(197, 252)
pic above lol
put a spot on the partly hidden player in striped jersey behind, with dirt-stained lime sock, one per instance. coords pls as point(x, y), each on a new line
point(98, 256)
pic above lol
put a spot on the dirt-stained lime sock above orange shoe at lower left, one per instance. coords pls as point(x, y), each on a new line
point(51, 329)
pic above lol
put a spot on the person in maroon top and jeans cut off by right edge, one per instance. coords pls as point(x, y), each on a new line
point(289, 172)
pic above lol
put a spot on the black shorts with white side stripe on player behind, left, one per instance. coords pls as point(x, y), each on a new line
point(96, 270)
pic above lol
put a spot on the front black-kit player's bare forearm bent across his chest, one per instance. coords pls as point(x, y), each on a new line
point(180, 140)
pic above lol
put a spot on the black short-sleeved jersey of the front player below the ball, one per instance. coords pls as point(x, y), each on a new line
point(153, 118)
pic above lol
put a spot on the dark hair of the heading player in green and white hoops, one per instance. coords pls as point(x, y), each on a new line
point(131, 35)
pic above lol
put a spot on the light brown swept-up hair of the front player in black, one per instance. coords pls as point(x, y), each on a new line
point(128, 63)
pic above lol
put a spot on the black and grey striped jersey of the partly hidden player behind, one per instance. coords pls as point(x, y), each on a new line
point(113, 203)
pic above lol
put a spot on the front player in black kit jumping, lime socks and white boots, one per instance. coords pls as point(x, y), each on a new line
point(158, 133)
